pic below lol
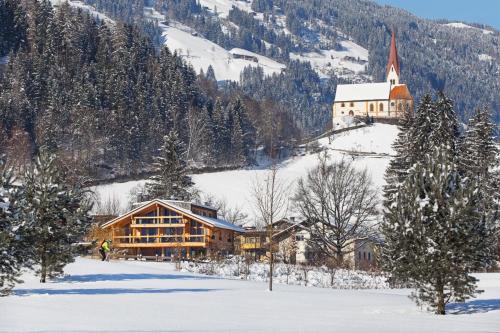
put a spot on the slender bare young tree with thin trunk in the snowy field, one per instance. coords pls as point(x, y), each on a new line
point(271, 201)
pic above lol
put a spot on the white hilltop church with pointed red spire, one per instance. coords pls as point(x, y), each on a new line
point(378, 100)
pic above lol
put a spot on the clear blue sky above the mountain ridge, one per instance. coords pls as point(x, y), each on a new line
point(476, 11)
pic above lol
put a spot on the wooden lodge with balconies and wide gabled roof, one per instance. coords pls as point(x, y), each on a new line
point(166, 228)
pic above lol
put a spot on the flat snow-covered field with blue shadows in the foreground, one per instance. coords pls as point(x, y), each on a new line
point(152, 297)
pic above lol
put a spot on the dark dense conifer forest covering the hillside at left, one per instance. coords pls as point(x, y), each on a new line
point(103, 97)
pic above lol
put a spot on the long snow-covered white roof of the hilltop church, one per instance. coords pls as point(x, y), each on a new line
point(362, 92)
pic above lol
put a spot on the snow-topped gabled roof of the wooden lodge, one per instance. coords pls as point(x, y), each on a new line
point(215, 222)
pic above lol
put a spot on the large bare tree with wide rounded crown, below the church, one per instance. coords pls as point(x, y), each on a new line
point(340, 204)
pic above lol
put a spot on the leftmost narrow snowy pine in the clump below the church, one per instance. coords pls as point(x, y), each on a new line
point(397, 170)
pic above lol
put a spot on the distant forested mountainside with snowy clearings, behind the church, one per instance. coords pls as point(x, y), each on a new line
point(462, 60)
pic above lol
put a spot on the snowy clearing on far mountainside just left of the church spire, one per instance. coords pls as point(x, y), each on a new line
point(352, 57)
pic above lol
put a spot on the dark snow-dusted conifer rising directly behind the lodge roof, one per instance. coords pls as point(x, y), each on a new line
point(170, 180)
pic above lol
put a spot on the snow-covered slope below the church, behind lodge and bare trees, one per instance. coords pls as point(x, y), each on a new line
point(235, 187)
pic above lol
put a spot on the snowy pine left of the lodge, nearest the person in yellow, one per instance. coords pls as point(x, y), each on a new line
point(56, 217)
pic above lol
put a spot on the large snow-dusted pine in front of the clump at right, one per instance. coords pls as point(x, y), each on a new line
point(434, 234)
